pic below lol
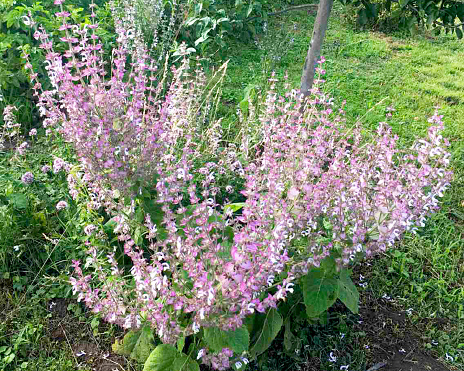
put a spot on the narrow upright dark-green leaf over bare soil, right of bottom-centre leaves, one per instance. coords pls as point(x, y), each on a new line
point(268, 330)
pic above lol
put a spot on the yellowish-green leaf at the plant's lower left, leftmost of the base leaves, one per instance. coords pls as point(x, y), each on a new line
point(136, 344)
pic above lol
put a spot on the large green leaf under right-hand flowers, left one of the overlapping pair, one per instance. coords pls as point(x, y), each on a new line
point(319, 292)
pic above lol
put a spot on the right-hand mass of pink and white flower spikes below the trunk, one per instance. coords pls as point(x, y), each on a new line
point(336, 188)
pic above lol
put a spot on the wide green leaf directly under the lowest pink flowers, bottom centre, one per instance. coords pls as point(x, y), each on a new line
point(218, 339)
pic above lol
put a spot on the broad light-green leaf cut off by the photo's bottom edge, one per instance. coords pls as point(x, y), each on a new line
point(165, 357)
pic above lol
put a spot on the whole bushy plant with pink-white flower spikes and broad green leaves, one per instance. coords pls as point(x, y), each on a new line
point(319, 195)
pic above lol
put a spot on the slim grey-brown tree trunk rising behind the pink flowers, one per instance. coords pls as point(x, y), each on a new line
point(314, 51)
